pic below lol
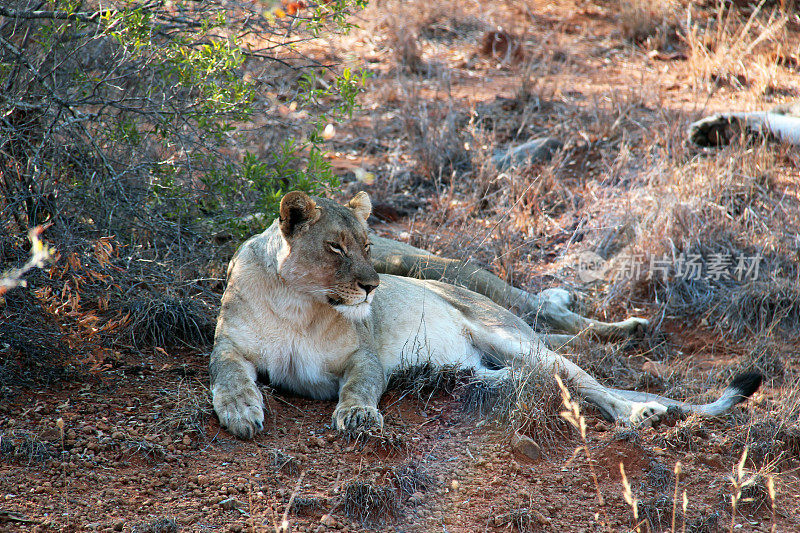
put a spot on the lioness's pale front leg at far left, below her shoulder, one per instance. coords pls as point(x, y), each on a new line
point(236, 398)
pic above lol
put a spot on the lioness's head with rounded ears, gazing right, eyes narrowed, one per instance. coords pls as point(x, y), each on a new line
point(328, 251)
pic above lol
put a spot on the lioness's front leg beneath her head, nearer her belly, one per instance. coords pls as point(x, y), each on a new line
point(362, 386)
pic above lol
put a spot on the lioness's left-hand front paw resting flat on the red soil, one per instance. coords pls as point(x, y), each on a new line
point(240, 410)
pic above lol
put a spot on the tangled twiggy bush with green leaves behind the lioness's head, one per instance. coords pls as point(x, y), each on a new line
point(131, 119)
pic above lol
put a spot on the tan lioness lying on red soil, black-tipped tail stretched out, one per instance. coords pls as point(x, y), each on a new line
point(305, 305)
